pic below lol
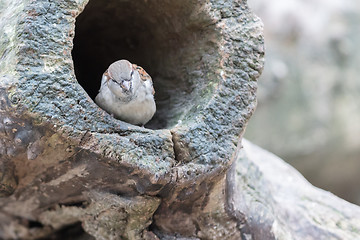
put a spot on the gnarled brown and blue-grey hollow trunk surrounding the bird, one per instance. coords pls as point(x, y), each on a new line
point(68, 169)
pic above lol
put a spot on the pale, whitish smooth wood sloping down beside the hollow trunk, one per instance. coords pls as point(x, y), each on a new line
point(279, 203)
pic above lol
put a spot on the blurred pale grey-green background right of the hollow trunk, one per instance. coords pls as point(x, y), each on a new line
point(309, 93)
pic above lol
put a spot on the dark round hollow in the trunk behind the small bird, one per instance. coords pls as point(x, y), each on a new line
point(174, 41)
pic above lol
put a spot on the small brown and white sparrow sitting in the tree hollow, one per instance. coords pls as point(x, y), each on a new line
point(127, 93)
